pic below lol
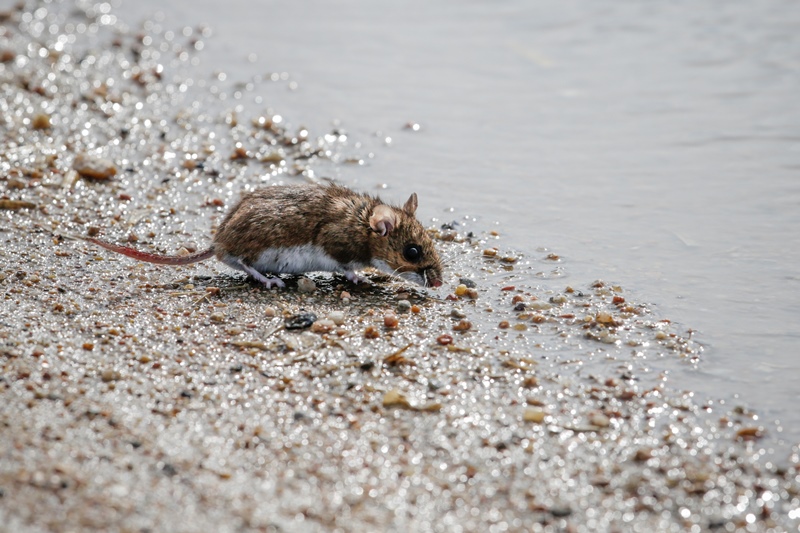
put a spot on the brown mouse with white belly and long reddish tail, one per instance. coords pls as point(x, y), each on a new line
point(293, 229)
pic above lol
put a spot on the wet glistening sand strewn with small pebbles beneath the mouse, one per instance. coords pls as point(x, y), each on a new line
point(136, 397)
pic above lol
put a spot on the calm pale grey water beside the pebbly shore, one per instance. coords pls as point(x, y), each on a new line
point(657, 146)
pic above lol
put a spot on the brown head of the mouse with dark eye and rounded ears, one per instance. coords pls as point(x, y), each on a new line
point(401, 246)
